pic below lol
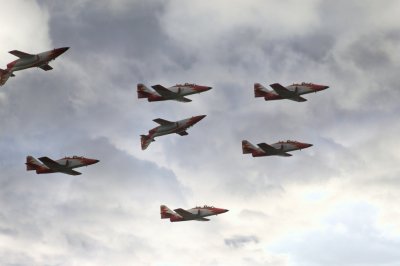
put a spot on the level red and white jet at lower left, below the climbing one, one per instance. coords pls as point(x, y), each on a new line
point(64, 165)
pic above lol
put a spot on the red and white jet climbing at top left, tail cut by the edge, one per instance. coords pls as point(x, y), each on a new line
point(29, 60)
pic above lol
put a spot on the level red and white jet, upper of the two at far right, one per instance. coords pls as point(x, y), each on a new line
point(291, 92)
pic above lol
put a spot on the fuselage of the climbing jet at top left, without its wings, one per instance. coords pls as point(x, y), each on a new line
point(35, 60)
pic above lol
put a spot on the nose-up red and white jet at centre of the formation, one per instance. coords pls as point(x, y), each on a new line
point(168, 127)
